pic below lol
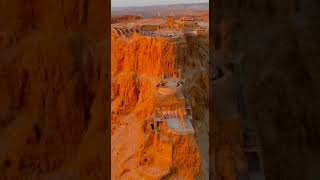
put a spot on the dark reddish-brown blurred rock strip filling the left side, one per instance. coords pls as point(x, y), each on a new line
point(53, 99)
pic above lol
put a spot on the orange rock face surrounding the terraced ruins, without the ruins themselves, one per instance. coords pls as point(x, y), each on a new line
point(138, 63)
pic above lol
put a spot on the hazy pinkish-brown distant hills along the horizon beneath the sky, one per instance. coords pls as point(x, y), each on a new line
point(161, 10)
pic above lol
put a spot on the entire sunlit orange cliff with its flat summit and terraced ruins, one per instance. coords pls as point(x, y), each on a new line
point(159, 99)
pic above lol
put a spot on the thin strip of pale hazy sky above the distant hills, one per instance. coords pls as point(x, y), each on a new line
point(126, 3)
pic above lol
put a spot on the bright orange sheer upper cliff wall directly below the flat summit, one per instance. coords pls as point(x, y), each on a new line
point(150, 56)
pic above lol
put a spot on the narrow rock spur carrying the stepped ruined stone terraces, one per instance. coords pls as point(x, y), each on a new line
point(170, 122)
